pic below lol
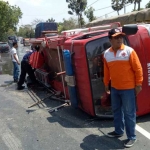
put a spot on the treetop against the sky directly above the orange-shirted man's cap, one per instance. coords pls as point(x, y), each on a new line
point(117, 5)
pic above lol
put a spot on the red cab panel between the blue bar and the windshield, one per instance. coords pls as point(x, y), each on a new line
point(81, 76)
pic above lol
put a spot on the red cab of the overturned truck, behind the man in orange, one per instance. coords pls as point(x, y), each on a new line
point(87, 62)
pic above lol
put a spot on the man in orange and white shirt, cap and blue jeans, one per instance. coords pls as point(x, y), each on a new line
point(123, 68)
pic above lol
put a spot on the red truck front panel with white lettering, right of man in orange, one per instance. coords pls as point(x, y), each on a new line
point(141, 45)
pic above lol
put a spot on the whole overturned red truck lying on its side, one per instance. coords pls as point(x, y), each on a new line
point(73, 65)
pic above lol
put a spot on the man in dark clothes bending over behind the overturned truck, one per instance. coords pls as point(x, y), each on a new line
point(27, 69)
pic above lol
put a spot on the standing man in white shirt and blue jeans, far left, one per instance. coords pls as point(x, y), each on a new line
point(15, 61)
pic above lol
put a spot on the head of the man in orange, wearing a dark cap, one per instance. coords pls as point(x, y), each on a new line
point(116, 38)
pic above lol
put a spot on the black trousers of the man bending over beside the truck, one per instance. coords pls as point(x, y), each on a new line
point(26, 69)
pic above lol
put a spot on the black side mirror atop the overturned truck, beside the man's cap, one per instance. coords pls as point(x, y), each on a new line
point(130, 29)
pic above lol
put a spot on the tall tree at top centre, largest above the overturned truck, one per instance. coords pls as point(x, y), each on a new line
point(77, 7)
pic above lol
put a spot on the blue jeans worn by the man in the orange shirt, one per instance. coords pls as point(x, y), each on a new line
point(124, 110)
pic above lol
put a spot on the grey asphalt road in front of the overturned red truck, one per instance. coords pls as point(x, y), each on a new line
point(23, 128)
